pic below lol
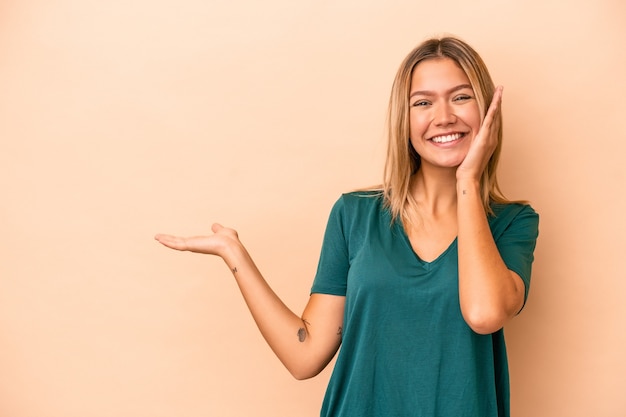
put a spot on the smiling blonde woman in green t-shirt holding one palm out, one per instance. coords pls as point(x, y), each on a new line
point(417, 278)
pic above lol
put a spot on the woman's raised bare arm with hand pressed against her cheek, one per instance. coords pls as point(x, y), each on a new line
point(490, 294)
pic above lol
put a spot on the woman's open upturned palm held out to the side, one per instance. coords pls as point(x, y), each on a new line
point(215, 244)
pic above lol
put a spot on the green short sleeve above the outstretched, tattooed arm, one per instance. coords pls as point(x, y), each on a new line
point(333, 265)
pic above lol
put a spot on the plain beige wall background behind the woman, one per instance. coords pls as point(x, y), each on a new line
point(121, 119)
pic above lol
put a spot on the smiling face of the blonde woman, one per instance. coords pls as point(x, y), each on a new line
point(444, 116)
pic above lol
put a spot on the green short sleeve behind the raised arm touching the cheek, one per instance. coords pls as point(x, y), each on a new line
point(516, 237)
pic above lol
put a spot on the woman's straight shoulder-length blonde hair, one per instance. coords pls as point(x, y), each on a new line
point(402, 161)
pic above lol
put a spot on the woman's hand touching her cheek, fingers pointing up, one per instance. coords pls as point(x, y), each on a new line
point(483, 144)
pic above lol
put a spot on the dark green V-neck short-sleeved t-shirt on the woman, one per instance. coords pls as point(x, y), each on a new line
point(406, 350)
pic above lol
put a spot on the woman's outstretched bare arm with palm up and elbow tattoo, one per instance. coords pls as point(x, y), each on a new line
point(304, 344)
